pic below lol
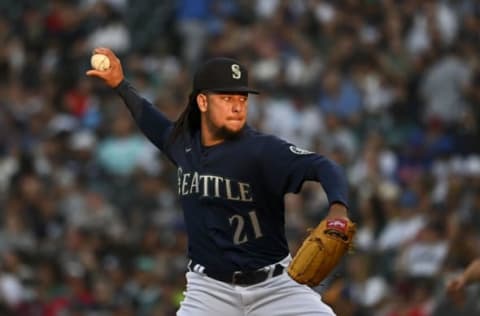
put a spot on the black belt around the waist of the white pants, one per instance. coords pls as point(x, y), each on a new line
point(240, 277)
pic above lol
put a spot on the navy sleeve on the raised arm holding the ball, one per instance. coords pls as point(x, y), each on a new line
point(153, 124)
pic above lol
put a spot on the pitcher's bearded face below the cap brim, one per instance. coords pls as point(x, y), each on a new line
point(226, 113)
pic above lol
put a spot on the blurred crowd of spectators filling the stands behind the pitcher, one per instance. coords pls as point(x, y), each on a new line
point(89, 222)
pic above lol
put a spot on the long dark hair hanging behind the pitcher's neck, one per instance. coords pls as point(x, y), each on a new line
point(189, 120)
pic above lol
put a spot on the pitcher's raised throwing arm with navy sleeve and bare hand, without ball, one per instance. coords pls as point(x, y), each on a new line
point(149, 119)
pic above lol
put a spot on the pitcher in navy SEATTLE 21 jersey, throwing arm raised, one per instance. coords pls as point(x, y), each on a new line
point(231, 185)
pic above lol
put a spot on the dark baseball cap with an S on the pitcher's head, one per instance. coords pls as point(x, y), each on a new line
point(222, 75)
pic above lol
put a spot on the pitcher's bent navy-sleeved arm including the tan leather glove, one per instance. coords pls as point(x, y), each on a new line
point(325, 246)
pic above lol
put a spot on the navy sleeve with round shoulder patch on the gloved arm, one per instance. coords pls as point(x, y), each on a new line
point(286, 167)
